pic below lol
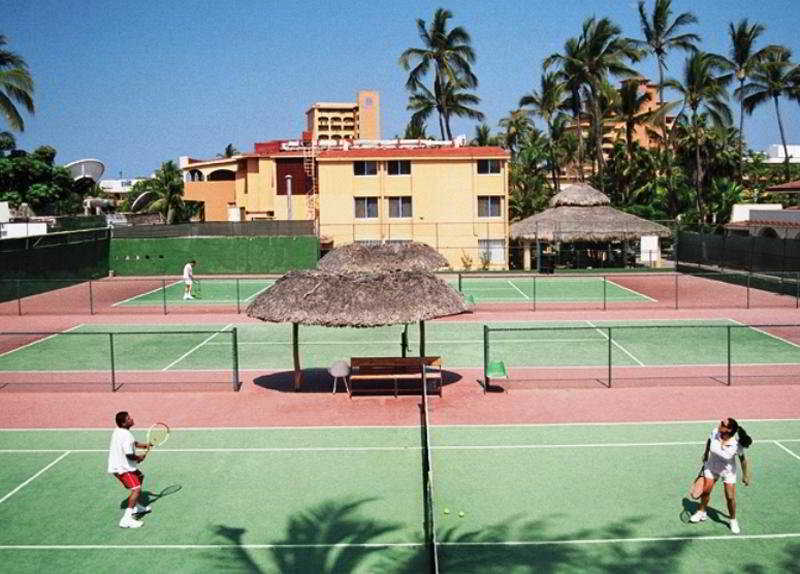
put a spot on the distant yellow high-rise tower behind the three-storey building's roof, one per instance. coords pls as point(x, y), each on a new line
point(345, 120)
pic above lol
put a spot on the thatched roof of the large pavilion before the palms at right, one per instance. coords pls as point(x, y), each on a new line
point(581, 213)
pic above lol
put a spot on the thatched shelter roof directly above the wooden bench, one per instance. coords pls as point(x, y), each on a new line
point(356, 299)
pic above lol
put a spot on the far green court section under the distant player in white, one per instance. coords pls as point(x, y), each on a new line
point(216, 291)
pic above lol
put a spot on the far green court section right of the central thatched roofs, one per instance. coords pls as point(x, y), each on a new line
point(546, 289)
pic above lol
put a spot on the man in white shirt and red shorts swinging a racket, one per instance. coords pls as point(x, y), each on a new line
point(123, 464)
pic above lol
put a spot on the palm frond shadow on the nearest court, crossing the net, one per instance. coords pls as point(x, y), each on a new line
point(334, 537)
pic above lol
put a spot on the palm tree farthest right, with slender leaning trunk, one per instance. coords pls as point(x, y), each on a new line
point(774, 77)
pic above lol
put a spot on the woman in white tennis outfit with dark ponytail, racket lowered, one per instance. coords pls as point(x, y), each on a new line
point(719, 461)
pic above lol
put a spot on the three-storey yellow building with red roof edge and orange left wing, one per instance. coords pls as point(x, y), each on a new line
point(453, 198)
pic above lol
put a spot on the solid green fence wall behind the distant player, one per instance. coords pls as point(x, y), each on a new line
point(214, 255)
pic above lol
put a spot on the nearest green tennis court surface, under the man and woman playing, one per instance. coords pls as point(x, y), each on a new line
point(552, 498)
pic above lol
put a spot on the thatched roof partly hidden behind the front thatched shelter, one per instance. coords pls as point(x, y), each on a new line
point(409, 256)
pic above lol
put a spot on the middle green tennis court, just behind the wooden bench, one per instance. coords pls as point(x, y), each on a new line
point(268, 346)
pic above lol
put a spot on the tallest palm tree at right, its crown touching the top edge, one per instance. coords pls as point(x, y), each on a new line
point(661, 36)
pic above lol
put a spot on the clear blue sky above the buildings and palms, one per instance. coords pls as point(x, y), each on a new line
point(136, 83)
